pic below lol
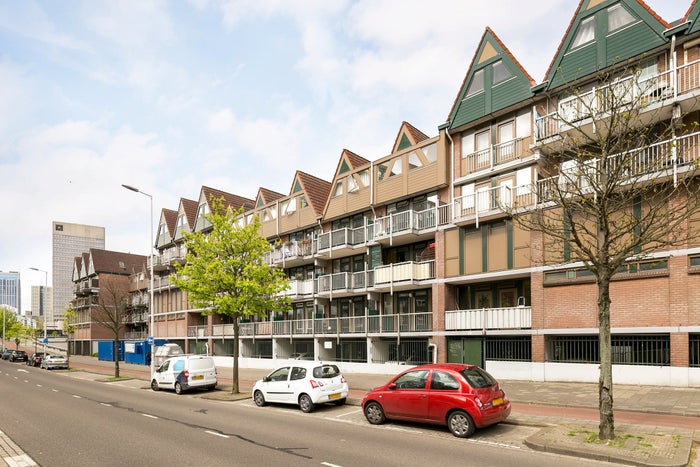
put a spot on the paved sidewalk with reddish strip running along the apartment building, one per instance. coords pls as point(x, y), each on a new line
point(656, 425)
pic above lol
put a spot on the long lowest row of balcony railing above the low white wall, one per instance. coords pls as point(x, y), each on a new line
point(390, 323)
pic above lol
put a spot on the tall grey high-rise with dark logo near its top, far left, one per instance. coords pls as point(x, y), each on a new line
point(68, 241)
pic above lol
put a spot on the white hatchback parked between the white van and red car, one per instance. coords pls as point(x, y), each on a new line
point(303, 383)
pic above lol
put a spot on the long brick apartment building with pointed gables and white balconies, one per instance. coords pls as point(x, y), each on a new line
point(414, 256)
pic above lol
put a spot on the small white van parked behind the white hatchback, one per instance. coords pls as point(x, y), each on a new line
point(185, 372)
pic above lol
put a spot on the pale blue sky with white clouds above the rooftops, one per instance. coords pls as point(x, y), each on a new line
point(168, 96)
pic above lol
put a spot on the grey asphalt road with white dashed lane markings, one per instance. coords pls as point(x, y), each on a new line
point(60, 420)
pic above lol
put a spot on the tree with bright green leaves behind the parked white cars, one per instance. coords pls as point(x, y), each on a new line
point(225, 273)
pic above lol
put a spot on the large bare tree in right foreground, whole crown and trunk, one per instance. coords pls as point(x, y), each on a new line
point(619, 185)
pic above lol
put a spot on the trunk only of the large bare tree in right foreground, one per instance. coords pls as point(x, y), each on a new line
point(605, 383)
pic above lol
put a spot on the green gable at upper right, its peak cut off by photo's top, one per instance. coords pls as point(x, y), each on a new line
point(645, 33)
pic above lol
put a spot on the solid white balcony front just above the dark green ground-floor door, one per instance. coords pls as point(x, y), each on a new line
point(489, 318)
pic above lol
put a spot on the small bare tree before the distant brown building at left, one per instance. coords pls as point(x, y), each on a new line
point(111, 310)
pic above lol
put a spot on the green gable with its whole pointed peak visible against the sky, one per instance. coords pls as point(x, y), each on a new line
point(493, 97)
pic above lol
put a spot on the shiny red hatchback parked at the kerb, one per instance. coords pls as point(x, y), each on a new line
point(463, 397)
